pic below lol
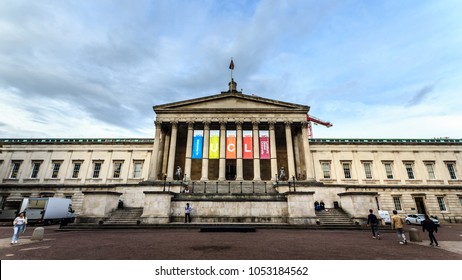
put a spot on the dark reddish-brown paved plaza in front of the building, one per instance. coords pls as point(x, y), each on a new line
point(264, 244)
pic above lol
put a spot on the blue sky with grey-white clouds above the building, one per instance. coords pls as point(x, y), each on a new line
point(86, 69)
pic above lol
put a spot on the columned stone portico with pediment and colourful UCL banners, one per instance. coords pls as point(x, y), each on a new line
point(231, 136)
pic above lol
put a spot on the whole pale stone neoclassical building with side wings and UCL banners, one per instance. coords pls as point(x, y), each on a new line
point(236, 158)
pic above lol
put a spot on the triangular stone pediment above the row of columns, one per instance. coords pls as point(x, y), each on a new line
point(230, 101)
